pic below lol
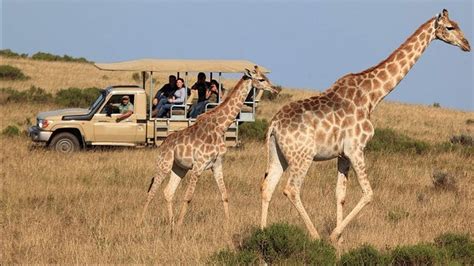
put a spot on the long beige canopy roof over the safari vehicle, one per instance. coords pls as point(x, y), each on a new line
point(172, 65)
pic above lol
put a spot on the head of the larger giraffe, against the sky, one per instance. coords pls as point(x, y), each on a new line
point(448, 31)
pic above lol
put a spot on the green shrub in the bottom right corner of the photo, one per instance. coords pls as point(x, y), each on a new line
point(459, 247)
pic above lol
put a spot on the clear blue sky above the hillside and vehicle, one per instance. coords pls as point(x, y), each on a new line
point(306, 44)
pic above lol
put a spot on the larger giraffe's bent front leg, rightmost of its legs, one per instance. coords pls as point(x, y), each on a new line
point(358, 163)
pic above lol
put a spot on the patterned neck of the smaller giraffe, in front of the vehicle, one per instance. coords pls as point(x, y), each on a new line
point(228, 110)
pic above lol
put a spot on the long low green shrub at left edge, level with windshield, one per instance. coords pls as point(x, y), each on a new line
point(32, 95)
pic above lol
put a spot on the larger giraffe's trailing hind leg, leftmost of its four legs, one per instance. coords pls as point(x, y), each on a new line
point(276, 167)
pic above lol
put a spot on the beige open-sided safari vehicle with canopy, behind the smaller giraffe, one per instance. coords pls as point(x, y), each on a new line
point(69, 130)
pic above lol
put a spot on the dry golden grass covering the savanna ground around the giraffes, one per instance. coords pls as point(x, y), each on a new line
point(83, 208)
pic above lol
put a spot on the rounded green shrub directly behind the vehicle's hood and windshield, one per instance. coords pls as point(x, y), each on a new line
point(75, 97)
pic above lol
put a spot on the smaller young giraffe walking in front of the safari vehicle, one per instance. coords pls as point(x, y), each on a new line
point(202, 146)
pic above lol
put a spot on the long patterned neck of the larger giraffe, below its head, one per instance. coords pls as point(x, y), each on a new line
point(377, 82)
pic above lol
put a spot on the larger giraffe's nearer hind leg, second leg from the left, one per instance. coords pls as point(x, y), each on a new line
point(298, 170)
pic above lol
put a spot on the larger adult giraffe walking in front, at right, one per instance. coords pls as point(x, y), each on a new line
point(336, 124)
